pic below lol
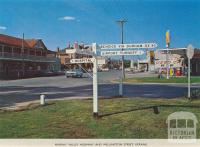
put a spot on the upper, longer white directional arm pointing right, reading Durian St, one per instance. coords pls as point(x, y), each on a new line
point(125, 46)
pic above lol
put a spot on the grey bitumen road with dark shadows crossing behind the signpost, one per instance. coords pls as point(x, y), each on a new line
point(14, 92)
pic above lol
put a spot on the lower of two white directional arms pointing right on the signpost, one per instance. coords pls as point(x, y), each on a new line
point(117, 53)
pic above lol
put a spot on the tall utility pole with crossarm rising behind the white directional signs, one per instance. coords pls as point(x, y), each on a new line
point(121, 23)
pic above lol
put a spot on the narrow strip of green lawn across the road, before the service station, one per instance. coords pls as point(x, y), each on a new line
point(162, 80)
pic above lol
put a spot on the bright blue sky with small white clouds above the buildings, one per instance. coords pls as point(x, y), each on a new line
point(58, 22)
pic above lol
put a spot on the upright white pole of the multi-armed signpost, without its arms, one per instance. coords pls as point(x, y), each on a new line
point(95, 82)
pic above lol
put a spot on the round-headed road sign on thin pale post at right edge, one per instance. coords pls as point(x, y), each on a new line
point(190, 53)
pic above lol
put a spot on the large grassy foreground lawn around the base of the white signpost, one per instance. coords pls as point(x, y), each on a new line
point(73, 119)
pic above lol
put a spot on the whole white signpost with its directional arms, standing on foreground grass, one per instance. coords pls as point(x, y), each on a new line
point(109, 53)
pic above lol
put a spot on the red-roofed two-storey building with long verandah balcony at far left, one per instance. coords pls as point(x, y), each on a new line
point(21, 58)
